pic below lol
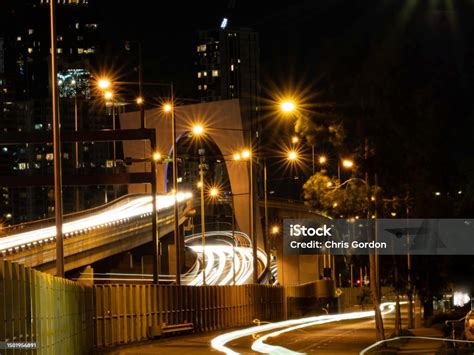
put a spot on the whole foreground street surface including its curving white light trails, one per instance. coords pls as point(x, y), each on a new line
point(319, 335)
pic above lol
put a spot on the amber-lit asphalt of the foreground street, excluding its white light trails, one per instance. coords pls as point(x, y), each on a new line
point(341, 337)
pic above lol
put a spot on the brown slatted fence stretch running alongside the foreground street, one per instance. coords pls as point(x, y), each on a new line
point(128, 313)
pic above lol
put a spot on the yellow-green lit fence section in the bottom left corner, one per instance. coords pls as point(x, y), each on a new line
point(42, 313)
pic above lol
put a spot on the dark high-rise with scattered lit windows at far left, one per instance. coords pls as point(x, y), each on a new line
point(25, 103)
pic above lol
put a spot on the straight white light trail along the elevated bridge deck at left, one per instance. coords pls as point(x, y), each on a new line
point(135, 207)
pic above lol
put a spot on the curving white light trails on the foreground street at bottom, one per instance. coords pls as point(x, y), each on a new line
point(219, 343)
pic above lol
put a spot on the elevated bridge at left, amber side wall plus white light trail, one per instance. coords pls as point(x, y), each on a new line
point(91, 235)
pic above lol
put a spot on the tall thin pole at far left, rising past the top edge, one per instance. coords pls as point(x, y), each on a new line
point(58, 198)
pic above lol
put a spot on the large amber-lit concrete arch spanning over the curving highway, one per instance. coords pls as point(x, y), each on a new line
point(214, 115)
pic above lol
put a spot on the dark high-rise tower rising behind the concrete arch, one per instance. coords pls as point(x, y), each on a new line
point(228, 68)
